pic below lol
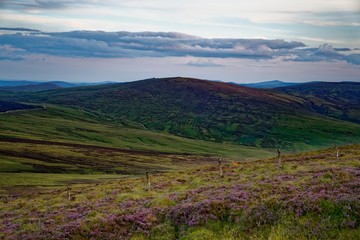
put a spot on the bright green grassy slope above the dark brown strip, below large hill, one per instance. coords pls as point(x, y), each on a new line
point(62, 124)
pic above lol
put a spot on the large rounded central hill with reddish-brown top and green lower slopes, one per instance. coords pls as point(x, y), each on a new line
point(208, 110)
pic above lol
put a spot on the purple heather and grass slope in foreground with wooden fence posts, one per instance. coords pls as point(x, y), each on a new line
point(309, 196)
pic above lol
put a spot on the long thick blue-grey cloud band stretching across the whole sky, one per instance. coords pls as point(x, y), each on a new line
point(161, 44)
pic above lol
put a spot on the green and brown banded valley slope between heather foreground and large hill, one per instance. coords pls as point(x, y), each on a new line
point(65, 141)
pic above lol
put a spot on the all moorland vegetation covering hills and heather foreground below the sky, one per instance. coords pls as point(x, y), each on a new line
point(77, 170)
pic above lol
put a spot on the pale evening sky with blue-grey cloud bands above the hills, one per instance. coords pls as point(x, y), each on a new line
point(228, 40)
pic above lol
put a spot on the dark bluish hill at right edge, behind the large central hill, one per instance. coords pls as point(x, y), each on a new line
point(336, 99)
